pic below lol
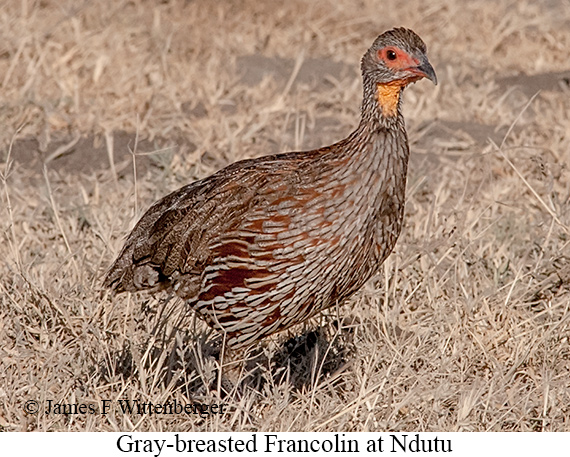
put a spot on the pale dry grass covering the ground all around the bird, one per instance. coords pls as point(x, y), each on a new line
point(467, 326)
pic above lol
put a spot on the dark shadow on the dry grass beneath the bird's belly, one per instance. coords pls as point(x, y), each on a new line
point(189, 360)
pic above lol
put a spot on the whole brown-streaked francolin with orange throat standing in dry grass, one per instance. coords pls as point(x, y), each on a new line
point(267, 243)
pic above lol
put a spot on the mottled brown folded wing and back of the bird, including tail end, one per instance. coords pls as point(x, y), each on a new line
point(174, 237)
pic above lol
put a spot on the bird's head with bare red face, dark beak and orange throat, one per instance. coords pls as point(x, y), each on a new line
point(395, 59)
